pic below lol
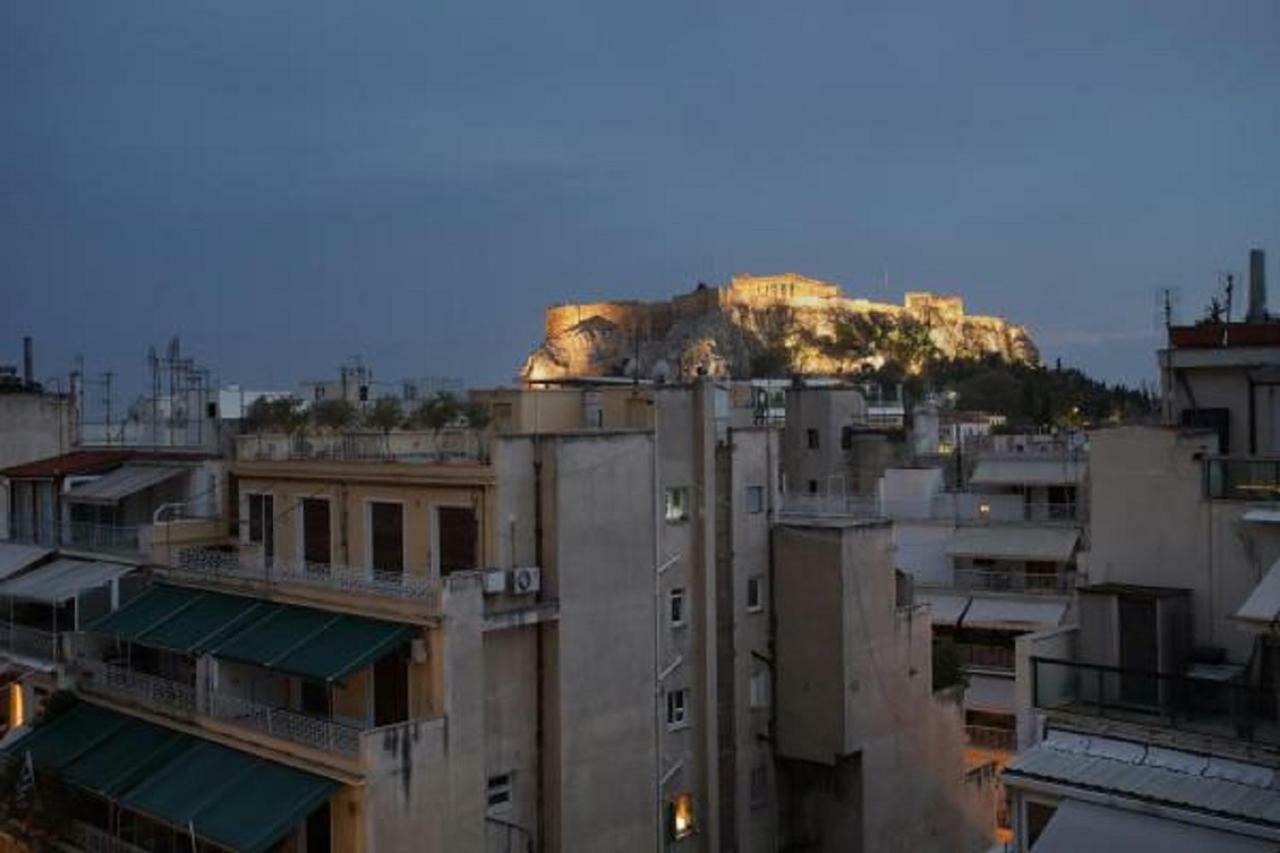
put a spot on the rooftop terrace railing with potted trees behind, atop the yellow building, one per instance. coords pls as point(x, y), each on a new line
point(400, 446)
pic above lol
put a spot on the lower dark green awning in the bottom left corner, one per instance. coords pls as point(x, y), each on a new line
point(228, 797)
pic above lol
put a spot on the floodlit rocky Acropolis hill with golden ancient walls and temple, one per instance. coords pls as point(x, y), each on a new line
point(766, 326)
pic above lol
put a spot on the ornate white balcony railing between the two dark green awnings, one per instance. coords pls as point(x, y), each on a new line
point(182, 700)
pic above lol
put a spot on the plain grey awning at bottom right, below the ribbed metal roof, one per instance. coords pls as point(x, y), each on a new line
point(1086, 827)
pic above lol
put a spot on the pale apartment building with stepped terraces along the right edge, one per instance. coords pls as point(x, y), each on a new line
point(1154, 714)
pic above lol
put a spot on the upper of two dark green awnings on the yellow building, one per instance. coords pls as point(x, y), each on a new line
point(303, 641)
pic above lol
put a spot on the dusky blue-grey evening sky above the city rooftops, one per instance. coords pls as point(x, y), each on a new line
point(290, 185)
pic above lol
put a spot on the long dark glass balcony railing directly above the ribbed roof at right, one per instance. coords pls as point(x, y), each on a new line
point(1227, 710)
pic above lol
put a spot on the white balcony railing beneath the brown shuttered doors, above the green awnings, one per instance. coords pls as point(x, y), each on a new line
point(212, 564)
